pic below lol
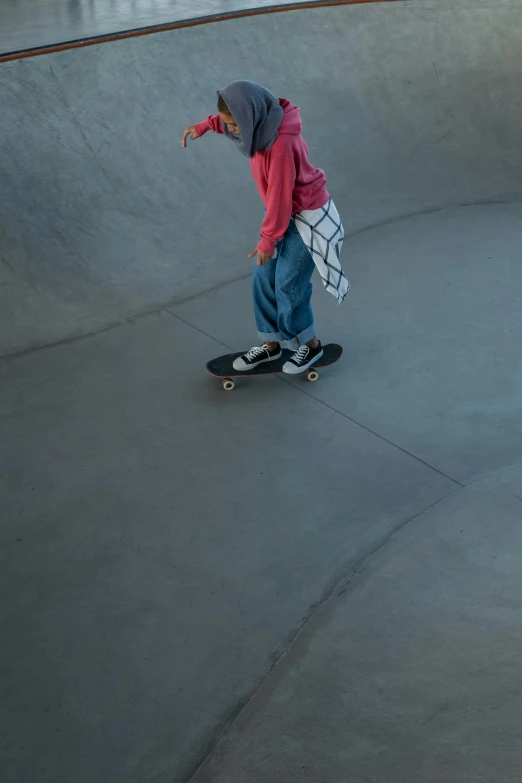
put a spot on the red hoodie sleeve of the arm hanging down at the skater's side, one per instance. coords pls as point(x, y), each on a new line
point(281, 181)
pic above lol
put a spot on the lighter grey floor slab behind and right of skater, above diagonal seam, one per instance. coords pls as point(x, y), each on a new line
point(432, 349)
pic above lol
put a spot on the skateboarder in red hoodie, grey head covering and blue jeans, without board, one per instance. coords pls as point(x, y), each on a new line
point(301, 225)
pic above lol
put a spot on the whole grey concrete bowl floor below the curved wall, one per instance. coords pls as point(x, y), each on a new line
point(164, 541)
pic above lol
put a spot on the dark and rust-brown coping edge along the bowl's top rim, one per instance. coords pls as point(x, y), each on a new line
point(163, 28)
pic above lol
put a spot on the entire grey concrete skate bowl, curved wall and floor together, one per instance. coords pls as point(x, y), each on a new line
point(293, 582)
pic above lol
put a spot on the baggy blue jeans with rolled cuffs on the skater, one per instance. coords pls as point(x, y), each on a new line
point(282, 292)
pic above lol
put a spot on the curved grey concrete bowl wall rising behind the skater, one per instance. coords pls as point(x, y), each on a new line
point(408, 106)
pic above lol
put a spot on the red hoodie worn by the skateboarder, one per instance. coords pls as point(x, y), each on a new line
point(286, 180)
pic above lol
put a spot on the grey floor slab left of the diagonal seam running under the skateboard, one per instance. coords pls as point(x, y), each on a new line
point(169, 544)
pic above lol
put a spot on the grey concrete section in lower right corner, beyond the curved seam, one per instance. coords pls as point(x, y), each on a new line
point(411, 672)
